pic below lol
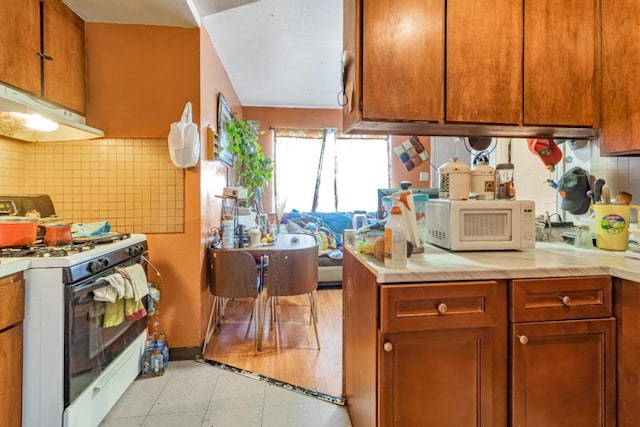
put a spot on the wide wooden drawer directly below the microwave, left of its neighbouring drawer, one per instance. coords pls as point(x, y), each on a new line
point(451, 305)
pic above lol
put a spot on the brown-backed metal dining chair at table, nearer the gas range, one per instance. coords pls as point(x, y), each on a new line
point(234, 274)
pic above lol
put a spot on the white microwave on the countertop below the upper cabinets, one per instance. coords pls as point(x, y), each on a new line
point(474, 225)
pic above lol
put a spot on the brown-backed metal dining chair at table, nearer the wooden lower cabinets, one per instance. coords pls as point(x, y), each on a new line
point(292, 273)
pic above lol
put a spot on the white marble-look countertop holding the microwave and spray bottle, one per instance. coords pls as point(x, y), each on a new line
point(546, 260)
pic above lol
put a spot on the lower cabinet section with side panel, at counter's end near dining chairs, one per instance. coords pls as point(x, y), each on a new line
point(424, 354)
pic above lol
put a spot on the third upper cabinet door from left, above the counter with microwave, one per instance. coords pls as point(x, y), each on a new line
point(561, 50)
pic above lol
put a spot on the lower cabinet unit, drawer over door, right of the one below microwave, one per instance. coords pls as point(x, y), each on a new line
point(563, 352)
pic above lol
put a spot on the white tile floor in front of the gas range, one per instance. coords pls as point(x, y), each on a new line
point(197, 394)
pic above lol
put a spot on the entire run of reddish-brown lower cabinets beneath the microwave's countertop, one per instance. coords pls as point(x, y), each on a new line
point(525, 352)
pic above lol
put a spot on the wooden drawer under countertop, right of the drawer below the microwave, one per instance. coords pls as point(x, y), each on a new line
point(535, 300)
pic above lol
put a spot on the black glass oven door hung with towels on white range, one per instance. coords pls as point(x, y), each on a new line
point(89, 346)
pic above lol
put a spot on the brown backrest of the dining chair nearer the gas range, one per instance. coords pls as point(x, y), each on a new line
point(234, 274)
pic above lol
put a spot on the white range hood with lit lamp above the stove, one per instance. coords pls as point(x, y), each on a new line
point(71, 126)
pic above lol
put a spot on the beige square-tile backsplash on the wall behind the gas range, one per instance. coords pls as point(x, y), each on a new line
point(129, 182)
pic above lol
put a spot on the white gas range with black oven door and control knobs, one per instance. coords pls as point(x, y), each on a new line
point(75, 369)
